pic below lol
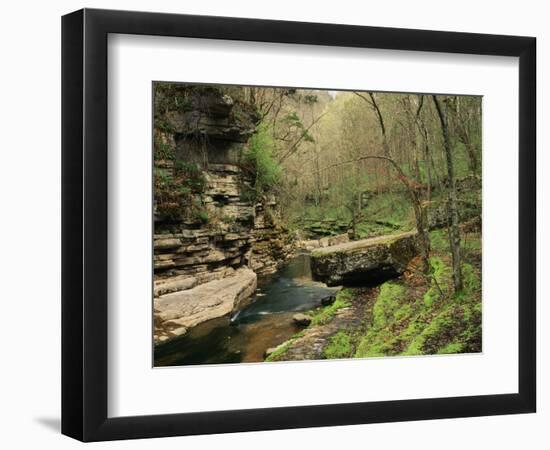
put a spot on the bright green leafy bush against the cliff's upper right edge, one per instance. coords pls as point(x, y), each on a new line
point(260, 161)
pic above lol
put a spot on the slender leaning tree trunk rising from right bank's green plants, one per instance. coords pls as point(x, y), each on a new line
point(454, 230)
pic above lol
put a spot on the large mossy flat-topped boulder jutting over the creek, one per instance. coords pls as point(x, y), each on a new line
point(365, 262)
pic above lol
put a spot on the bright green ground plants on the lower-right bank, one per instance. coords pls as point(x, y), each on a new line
point(437, 322)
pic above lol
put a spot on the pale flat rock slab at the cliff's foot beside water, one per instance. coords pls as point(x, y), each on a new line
point(176, 312)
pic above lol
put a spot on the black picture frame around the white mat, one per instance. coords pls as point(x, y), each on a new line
point(84, 224)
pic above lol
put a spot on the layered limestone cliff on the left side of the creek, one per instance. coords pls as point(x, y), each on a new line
point(207, 225)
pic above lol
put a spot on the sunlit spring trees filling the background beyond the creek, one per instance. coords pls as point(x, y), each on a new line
point(336, 151)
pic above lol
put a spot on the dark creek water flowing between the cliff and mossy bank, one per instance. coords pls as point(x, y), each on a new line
point(245, 335)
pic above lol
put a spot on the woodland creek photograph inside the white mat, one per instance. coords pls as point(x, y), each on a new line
point(300, 224)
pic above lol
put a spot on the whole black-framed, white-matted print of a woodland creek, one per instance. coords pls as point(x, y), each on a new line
point(274, 224)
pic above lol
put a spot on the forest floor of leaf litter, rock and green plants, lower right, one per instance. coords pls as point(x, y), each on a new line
point(410, 315)
